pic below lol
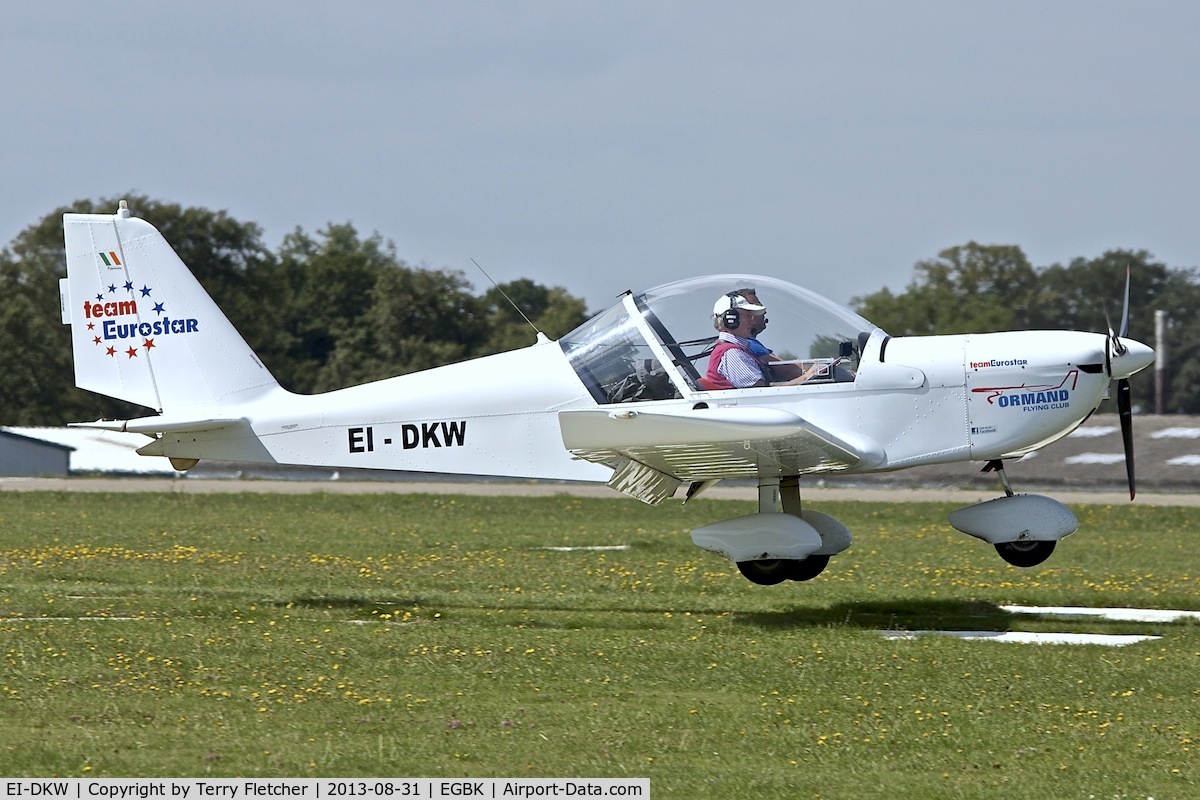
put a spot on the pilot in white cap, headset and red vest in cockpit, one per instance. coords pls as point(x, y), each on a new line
point(733, 364)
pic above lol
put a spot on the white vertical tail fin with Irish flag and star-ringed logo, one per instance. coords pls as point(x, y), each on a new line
point(142, 327)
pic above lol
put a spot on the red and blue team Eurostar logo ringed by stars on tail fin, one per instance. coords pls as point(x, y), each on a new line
point(116, 322)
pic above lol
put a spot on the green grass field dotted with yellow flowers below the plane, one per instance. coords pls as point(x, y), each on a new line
point(255, 635)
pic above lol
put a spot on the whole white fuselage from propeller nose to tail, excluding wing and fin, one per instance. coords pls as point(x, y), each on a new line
point(931, 400)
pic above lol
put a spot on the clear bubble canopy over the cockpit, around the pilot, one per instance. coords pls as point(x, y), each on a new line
point(656, 345)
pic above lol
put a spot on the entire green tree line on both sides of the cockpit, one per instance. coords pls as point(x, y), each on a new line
point(334, 309)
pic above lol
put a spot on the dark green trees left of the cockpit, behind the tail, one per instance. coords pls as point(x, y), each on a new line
point(322, 311)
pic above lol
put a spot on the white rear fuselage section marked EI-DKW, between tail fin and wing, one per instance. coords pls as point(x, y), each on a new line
point(495, 416)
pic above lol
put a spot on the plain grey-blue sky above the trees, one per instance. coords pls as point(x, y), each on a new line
point(620, 146)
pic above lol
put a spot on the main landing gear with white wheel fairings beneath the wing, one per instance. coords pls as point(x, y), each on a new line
point(771, 546)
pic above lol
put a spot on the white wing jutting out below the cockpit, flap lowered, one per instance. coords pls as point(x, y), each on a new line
point(653, 453)
